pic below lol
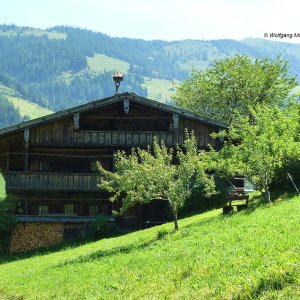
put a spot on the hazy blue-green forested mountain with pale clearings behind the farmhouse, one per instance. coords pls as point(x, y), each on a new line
point(62, 66)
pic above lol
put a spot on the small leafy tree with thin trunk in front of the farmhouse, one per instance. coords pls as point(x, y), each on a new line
point(145, 175)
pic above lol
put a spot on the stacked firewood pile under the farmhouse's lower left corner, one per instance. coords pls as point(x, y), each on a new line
point(28, 236)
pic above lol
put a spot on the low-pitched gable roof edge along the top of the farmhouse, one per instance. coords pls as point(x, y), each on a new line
point(107, 101)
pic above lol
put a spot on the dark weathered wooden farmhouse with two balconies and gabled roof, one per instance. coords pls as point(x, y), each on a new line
point(49, 164)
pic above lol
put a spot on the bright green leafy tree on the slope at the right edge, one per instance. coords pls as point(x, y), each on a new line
point(258, 148)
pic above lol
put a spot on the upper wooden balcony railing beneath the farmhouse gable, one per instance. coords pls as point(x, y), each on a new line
point(103, 138)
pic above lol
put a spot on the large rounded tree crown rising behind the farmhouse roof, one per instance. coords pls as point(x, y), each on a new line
point(232, 85)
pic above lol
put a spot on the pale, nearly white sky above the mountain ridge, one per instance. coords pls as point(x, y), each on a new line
point(161, 19)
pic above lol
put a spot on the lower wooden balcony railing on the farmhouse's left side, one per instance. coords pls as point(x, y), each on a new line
point(52, 181)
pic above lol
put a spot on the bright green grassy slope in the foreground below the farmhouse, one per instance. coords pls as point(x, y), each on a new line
point(249, 255)
